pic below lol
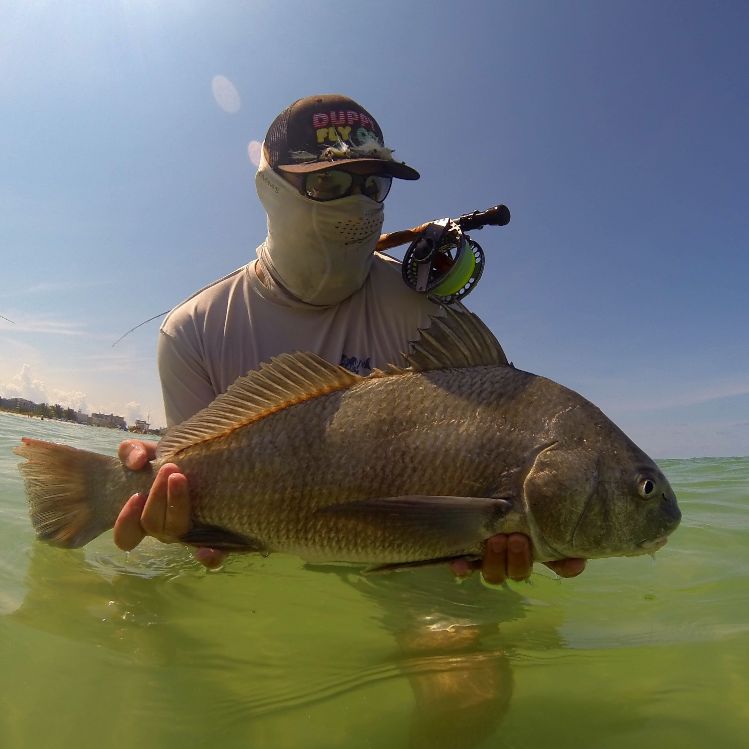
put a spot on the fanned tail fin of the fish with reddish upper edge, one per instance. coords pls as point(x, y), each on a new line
point(68, 493)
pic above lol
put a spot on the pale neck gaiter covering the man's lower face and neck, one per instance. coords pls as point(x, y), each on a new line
point(319, 252)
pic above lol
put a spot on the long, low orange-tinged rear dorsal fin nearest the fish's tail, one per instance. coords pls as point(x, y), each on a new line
point(285, 380)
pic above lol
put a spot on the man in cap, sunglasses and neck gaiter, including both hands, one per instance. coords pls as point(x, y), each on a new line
point(316, 285)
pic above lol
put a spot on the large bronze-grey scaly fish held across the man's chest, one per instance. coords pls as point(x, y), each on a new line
point(412, 464)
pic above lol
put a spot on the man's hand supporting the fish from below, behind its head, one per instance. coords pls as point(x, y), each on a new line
point(510, 556)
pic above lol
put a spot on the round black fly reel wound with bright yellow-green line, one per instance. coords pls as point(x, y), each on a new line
point(444, 263)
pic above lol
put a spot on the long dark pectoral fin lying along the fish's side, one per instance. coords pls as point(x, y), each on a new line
point(448, 525)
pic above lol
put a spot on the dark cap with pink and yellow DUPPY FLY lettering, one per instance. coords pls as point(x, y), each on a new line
point(326, 130)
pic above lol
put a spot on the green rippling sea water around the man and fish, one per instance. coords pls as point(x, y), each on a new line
point(101, 648)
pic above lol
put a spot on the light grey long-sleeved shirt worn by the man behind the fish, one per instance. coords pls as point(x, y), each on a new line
point(236, 323)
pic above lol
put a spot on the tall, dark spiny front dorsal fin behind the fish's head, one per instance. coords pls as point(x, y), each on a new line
point(457, 340)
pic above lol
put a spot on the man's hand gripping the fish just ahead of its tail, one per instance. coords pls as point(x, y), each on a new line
point(164, 513)
